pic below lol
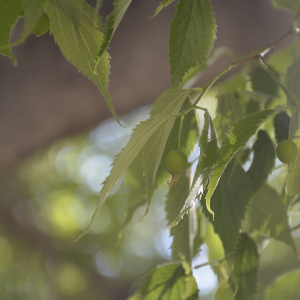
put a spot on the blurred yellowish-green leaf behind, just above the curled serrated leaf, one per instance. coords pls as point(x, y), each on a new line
point(229, 110)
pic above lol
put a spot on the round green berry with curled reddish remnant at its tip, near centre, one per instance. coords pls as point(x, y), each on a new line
point(175, 162)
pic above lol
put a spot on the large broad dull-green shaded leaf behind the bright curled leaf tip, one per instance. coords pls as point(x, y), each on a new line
point(229, 203)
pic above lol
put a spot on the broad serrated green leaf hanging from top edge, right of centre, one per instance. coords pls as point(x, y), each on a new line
point(192, 33)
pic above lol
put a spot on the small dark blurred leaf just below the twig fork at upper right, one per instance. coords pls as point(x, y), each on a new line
point(262, 82)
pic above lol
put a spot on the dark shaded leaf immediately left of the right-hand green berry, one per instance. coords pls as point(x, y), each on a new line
point(263, 160)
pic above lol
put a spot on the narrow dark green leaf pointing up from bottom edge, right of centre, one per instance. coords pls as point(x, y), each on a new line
point(246, 266)
